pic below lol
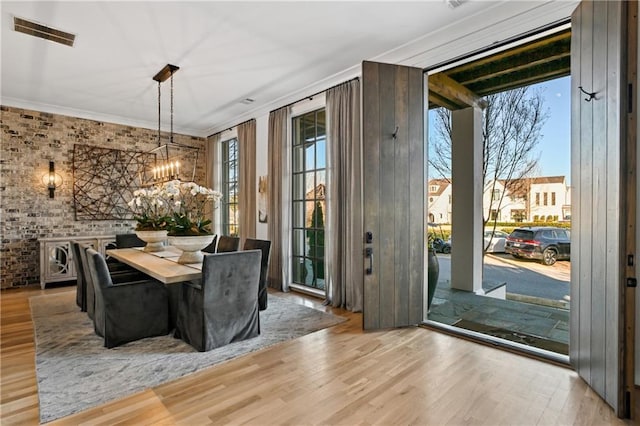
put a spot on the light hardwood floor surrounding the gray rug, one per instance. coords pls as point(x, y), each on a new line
point(339, 375)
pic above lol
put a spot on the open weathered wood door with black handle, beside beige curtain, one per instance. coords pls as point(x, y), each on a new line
point(394, 181)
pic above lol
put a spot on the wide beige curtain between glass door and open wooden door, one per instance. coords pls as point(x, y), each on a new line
point(344, 243)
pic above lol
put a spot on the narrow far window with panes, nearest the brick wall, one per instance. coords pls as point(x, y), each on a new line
point(229, 204)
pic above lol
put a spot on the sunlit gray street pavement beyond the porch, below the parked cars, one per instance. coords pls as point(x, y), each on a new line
point(524, 277)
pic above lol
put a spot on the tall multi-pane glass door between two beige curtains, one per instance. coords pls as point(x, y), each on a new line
point(308, 198)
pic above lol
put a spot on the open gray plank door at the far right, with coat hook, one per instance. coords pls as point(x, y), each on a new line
point(603, 253)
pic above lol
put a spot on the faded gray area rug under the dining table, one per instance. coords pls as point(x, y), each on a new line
point(76, 372)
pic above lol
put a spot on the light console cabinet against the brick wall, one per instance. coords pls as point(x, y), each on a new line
point(56, 256)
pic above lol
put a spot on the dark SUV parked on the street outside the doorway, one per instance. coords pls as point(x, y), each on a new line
point(543, 243)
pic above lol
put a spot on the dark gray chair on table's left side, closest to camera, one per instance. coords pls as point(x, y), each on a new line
point(126, 311)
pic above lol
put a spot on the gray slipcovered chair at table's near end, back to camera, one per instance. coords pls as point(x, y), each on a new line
point(222, 307)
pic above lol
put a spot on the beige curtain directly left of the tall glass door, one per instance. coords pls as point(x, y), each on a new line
point(278, 193)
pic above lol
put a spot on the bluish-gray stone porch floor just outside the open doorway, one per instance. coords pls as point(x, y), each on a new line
point(541, 326)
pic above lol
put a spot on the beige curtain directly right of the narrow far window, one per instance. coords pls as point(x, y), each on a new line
point(247, 179)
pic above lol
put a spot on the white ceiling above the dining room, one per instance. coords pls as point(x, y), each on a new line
point(270, 52)
